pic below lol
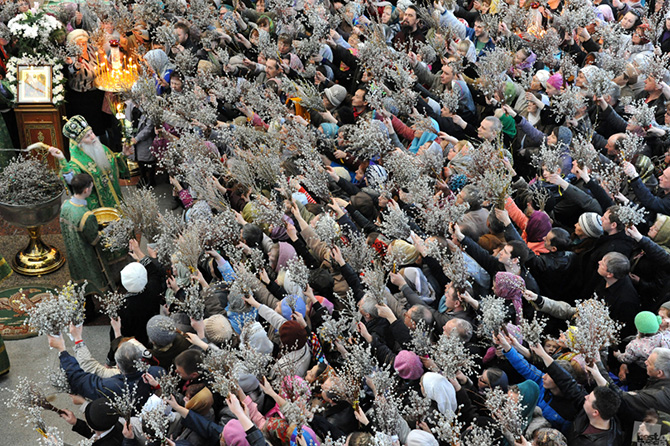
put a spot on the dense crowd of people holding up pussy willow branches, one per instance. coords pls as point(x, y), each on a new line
point(394, 216)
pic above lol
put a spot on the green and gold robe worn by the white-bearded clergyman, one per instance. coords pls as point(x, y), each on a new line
point(106, 189)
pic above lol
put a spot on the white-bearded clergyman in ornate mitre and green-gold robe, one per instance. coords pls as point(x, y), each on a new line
point(89, 155)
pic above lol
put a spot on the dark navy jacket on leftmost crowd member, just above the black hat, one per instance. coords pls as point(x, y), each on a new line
point(92, 386)
